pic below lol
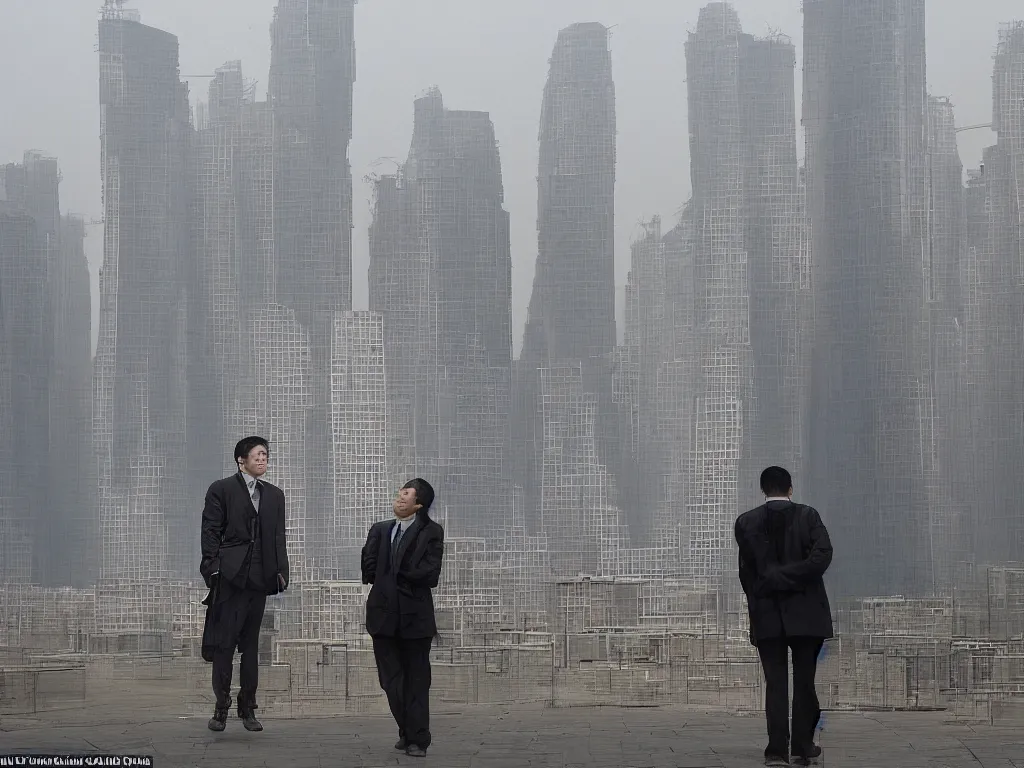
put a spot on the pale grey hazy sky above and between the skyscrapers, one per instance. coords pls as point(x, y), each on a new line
point(484, 55)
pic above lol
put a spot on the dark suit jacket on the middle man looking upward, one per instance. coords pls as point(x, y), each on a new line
point(400, 604)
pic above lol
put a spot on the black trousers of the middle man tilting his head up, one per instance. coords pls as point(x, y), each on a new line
point(404, 671)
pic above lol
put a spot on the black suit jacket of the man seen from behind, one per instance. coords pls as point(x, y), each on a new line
point(786, 595)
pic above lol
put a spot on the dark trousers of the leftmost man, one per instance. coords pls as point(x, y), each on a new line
point(240, 616)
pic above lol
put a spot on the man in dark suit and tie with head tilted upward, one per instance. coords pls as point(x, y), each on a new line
point(403, 561)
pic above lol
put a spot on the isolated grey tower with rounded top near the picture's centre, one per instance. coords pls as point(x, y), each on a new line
point(572, 314)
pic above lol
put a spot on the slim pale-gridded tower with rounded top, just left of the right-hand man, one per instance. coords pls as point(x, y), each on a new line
point(724, 409)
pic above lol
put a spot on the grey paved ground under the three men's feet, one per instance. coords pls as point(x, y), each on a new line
point(500, 738)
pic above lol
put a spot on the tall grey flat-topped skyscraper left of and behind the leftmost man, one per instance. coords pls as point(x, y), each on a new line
point(147, 532)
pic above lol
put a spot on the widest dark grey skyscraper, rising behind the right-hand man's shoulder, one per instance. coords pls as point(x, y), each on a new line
point(872, 442)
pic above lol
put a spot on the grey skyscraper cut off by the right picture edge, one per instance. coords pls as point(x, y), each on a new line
point(995, 306)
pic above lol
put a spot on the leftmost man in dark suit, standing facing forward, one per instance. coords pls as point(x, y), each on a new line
point(244, 561)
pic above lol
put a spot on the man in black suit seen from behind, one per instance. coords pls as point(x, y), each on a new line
point(785, 551)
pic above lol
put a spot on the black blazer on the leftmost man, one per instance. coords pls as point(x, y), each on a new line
point(229, 528)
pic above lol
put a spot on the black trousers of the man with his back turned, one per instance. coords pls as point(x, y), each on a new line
point(775, 661)
